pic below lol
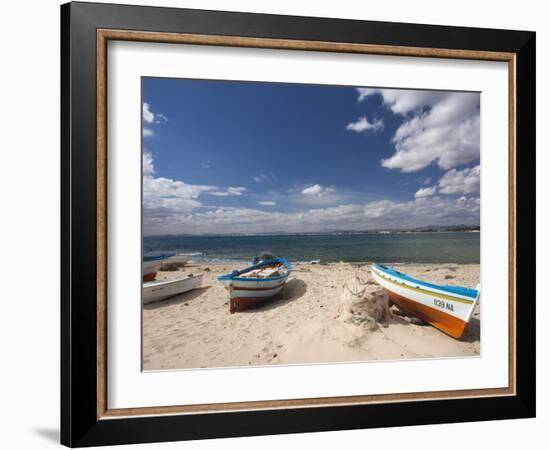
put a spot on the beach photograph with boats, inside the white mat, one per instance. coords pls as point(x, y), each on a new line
point(305, 224)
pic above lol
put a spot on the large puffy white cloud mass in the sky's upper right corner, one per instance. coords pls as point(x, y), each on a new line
point(441, 127)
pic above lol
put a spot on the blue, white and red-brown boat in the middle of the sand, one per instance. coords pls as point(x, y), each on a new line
point(256, 284)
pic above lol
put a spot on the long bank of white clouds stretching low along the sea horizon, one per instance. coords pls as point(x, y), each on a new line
point(173, 206)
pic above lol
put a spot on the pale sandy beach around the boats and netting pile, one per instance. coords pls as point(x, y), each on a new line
point(304, 324)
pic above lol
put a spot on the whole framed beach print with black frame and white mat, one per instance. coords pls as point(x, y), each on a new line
point(277, 224)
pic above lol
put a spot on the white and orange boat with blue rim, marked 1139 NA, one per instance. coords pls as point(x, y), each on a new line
point(448, 308)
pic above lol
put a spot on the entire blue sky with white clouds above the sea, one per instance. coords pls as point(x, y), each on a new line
point(229, 156)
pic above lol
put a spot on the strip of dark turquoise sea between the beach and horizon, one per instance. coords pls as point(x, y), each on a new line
point(447, 247)
